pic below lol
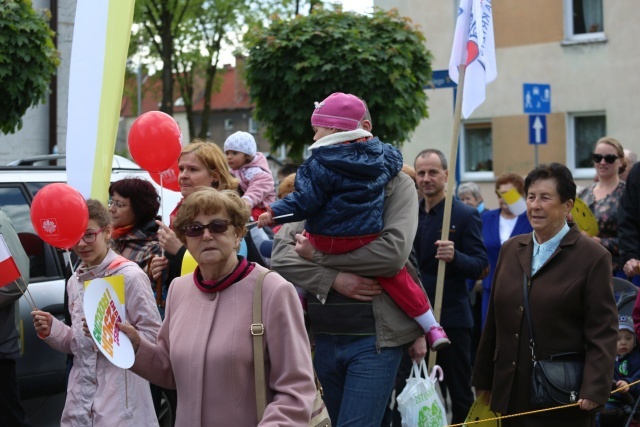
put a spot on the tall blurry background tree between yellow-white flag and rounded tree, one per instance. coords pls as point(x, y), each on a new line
point(187, 37)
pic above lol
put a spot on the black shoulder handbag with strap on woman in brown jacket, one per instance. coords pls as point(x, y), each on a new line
point(556, 380)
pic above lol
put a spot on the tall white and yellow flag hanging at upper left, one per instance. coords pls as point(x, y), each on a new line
point(101, 33)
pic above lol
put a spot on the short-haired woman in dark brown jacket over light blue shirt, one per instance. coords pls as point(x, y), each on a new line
point(571, 302)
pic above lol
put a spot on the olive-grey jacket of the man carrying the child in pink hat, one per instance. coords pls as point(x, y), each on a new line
point(382, 257)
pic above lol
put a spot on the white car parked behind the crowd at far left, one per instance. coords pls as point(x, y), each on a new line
point(42, 370)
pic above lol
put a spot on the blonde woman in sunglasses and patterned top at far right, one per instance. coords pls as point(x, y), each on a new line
point(603, 197)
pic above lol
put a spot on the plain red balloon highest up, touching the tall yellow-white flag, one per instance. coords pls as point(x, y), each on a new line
point(155, 141)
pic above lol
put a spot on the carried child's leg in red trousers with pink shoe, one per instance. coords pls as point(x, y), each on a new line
point(412, 300)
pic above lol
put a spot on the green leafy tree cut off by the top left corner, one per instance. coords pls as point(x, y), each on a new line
point(28, 61)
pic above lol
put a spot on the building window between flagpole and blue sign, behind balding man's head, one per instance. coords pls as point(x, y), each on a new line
point(476, 150)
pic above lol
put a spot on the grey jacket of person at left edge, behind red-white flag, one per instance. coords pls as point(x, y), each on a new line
point(9, 294)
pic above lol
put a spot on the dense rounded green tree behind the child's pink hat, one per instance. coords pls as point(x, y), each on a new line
point(381, 58)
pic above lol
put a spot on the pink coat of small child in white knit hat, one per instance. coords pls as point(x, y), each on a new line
point(256, 181)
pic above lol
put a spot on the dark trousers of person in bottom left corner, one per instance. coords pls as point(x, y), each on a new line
point(11, 412)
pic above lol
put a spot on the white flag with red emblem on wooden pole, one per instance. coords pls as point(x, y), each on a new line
point(473, 45)
